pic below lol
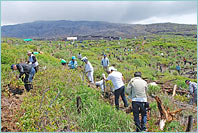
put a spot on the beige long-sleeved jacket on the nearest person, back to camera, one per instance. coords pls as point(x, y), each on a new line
point(137, 89)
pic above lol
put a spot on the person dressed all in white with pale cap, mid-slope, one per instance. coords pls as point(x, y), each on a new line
point(88, 69)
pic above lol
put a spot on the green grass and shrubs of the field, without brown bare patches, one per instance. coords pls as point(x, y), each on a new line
point(96, 114)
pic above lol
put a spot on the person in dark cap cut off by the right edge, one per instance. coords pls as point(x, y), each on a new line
point(193, 91)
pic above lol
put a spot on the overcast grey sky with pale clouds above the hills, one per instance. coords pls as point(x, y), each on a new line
point(118, 12)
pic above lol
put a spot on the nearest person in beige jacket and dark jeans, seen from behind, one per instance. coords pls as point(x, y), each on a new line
point(137, 92)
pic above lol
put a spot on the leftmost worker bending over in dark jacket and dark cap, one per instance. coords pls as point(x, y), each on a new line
point(29, 72)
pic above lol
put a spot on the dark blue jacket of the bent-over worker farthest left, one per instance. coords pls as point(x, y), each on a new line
point(24, 69)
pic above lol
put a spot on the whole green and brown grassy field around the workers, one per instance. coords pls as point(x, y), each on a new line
point(51, 105)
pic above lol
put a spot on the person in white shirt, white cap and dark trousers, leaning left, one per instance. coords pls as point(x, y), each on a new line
point(118, 83)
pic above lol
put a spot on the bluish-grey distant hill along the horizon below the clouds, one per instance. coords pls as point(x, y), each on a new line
point(65, 28)
